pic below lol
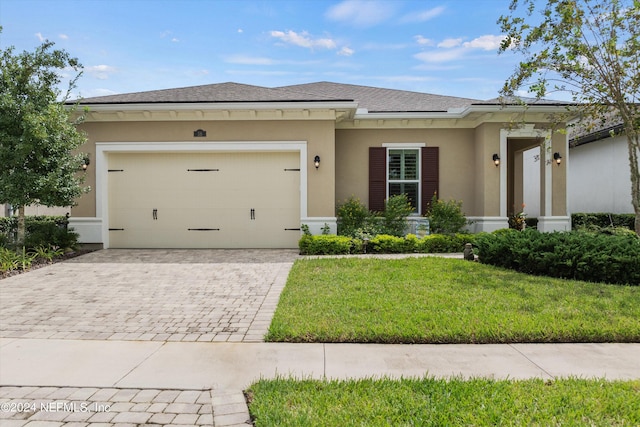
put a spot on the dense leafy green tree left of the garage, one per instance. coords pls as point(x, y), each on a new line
point(37, 135)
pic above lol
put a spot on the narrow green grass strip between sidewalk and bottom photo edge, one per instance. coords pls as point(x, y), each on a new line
point(420, 402)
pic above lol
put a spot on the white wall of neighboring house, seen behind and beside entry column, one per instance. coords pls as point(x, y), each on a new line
point(598, 177)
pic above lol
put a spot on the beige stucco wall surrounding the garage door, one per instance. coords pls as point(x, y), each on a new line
point(319, 135)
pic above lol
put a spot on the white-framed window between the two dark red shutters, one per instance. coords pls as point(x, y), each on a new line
point(403, 166)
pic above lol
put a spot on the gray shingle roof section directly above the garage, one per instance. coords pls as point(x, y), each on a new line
point(221, 92)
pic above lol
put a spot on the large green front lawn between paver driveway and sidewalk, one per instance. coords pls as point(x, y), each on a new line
point(438, 300)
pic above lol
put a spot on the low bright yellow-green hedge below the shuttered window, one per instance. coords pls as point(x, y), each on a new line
point(383, 244)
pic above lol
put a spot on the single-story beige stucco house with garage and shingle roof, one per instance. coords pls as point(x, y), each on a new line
point(238, 166)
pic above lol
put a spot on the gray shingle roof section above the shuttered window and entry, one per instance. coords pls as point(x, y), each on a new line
point(377, 99)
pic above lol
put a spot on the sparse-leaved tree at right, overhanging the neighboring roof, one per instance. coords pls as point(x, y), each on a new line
point(588, 48)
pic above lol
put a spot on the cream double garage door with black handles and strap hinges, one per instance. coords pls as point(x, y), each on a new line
point(204, 200)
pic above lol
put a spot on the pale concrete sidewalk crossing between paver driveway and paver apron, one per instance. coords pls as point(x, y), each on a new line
point(235, 365)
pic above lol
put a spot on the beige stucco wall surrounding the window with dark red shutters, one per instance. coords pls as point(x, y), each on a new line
point(457, 168)
